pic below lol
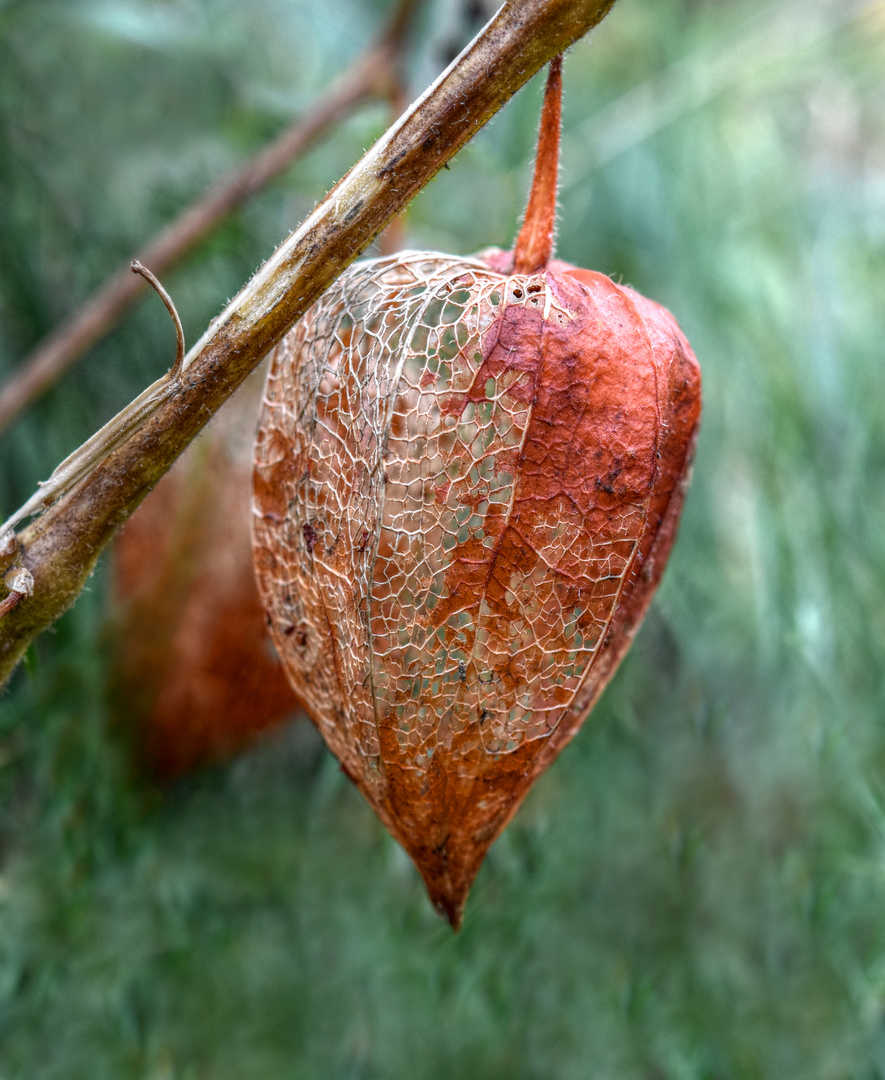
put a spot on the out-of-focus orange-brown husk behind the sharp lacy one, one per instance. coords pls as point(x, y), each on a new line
point(196, 677)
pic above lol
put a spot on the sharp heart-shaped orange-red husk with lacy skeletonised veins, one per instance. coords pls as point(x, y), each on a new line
point(467, 484)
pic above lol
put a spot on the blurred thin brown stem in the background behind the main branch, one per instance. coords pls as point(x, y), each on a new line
point(369, 77)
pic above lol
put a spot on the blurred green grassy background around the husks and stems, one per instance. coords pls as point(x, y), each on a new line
point(696, 890)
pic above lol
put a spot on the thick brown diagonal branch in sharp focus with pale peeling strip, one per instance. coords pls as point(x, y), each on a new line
point(103, 484)
